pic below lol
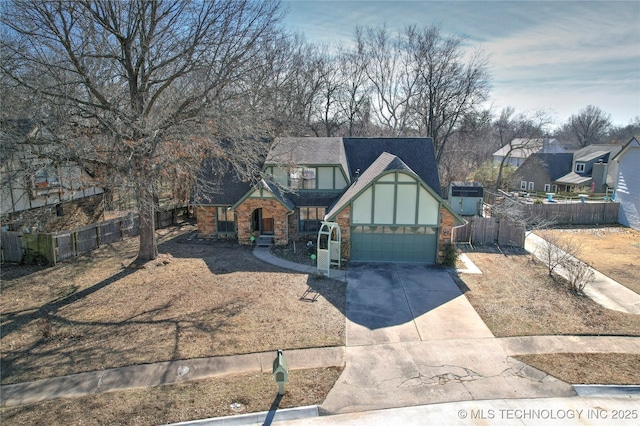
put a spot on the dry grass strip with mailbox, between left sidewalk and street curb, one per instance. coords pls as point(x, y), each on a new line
point(181, 402)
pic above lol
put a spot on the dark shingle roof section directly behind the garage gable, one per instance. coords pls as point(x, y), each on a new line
point(416, 153)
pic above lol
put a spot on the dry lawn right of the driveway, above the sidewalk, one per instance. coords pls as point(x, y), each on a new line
point(516, 297)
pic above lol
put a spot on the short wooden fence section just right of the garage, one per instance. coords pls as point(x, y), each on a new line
point(490, 230)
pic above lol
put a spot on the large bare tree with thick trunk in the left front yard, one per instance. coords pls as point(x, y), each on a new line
point(137, 89)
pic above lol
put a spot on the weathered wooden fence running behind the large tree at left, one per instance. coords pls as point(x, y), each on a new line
point(56, 246)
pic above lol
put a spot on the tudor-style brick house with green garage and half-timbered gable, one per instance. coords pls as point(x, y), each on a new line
point(383, 192)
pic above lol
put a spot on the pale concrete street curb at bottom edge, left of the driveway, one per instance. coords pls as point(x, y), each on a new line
point(263, 417)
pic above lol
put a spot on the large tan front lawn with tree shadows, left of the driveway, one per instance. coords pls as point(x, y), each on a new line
point(198, 299)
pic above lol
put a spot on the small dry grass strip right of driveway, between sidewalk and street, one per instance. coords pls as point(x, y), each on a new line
point(580, 368)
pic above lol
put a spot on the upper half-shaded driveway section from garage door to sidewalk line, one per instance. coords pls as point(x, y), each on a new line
point(389, 303)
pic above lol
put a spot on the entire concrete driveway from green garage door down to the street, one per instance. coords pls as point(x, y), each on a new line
point(413, 338)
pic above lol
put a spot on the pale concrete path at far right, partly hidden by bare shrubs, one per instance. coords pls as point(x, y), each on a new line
point(603, 290)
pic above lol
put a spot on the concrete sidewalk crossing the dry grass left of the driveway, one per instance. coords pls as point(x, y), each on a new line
point(163, 373)
